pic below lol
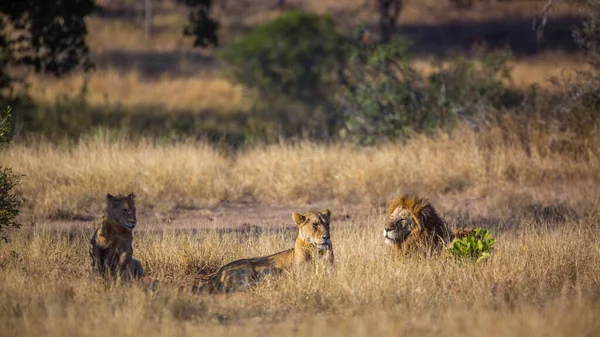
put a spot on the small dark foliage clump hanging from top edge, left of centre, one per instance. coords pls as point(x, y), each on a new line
point(200, 24)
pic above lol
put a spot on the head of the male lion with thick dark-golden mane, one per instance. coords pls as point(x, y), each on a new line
point(412, 221)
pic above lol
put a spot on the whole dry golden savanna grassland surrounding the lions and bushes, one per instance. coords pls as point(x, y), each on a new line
point(530, 173)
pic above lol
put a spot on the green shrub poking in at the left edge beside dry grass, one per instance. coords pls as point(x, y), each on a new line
point(9, 203)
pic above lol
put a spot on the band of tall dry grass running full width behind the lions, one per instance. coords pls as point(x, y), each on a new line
point(488, 165)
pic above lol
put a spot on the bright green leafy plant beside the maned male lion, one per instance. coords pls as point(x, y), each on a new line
point(476, 247)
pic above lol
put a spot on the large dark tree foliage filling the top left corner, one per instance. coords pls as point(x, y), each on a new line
point(49, 36)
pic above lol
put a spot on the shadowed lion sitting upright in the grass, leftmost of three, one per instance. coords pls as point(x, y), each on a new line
point(110, 247)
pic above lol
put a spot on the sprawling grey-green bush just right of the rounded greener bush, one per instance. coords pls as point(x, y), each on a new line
point(383, 97)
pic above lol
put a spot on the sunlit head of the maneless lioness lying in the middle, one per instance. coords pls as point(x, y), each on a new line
point(314, 228)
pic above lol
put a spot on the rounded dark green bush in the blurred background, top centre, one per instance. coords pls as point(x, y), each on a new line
point(290, 64)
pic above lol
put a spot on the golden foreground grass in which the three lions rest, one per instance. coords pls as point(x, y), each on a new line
point(543, 279)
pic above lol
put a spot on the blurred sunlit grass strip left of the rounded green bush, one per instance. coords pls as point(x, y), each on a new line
point(130, 89)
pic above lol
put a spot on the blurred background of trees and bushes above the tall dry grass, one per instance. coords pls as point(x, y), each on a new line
point(242, 72)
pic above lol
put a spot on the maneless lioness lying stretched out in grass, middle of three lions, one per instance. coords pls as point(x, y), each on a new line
point(312, 244)
